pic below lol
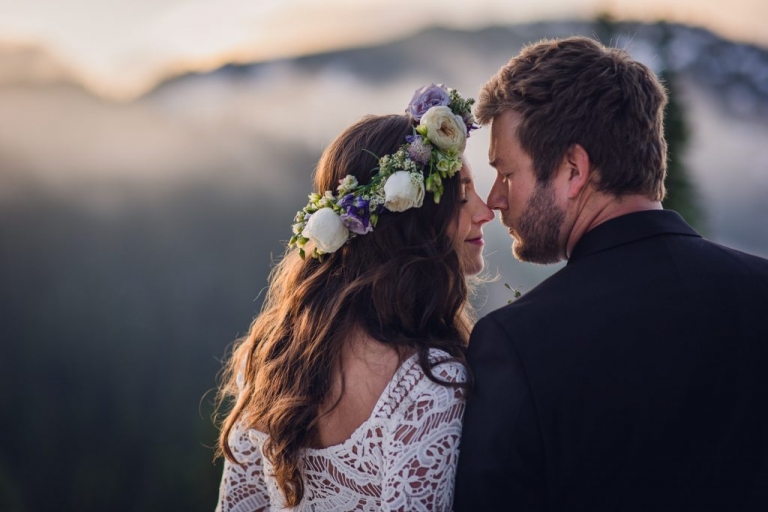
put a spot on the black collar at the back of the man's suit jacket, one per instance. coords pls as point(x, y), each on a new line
point(629, 228)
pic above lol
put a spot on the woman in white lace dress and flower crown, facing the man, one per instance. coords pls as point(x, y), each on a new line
point(349, 389)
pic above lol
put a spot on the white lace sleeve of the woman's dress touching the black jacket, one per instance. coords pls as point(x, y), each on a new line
point(422, 447)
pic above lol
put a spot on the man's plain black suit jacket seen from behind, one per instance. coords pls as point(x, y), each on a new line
point(632, 379)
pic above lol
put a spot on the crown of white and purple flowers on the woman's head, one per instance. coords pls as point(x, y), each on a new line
point(430, 155)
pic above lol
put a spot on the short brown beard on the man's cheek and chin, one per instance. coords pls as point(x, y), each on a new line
point(537, 234)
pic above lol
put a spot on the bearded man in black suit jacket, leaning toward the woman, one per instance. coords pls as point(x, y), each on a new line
point(635, 377)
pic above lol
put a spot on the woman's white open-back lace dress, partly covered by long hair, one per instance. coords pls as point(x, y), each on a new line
point(402, 458)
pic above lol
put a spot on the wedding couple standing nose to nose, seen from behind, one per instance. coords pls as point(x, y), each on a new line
point(632, 379)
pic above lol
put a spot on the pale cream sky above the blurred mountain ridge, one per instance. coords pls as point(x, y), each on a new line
point(122, 48)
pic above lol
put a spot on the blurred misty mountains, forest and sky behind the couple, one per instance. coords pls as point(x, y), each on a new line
point(153, 154)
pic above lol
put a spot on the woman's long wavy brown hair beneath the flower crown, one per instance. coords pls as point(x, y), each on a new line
point(403, 285)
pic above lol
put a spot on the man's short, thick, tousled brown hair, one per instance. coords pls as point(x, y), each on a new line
point(577, 91)
